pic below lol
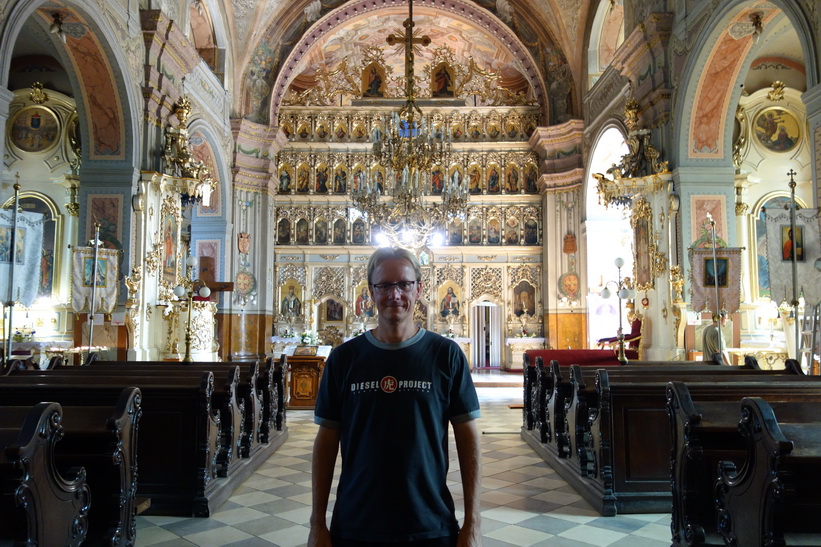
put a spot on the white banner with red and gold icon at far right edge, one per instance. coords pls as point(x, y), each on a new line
point(785, 242)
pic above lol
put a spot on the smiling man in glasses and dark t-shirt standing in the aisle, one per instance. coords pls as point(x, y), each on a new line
point(386, 399)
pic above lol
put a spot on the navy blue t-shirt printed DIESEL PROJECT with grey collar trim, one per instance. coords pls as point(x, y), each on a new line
point(392, 404)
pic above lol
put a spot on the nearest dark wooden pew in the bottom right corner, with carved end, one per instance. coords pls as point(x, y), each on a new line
point(773, 499)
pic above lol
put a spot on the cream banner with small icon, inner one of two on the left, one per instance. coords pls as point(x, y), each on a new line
point(106, 282)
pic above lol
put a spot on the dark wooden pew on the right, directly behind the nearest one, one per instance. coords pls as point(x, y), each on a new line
point(705, 431)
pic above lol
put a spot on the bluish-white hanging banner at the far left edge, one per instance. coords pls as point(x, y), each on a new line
point(28, 256)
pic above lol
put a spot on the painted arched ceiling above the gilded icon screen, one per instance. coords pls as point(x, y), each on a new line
point(528, 40)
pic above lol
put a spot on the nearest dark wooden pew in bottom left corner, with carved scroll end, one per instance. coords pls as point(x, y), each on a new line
point(38, 504)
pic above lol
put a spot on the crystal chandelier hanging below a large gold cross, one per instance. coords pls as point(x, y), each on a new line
point(408, 148)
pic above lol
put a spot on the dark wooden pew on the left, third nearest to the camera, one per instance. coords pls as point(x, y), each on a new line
point(178, 439)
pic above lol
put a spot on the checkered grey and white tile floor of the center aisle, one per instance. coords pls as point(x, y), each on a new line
point(524, 502)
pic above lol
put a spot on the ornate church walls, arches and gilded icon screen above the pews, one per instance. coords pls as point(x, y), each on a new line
point(206, 179)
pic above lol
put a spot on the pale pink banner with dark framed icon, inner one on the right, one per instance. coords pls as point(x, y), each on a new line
point(706, 272)
